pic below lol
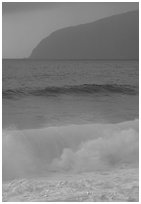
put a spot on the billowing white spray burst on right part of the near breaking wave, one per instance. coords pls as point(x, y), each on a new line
point(101, 153)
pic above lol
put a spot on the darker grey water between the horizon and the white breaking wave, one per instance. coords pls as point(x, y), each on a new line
point(46, 93)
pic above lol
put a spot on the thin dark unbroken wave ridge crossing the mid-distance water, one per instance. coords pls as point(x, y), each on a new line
point(76, 89)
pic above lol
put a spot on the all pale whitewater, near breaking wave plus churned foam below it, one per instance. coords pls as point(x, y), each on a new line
point(108, 152)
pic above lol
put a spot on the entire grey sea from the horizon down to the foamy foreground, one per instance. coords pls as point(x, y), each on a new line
point(70, 118)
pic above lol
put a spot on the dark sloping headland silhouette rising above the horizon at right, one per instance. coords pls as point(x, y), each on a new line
point(114, 37)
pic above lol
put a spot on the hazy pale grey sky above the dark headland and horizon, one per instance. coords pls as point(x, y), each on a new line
point(24, 25)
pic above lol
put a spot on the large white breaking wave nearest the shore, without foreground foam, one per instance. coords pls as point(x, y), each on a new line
point(76, 148)
